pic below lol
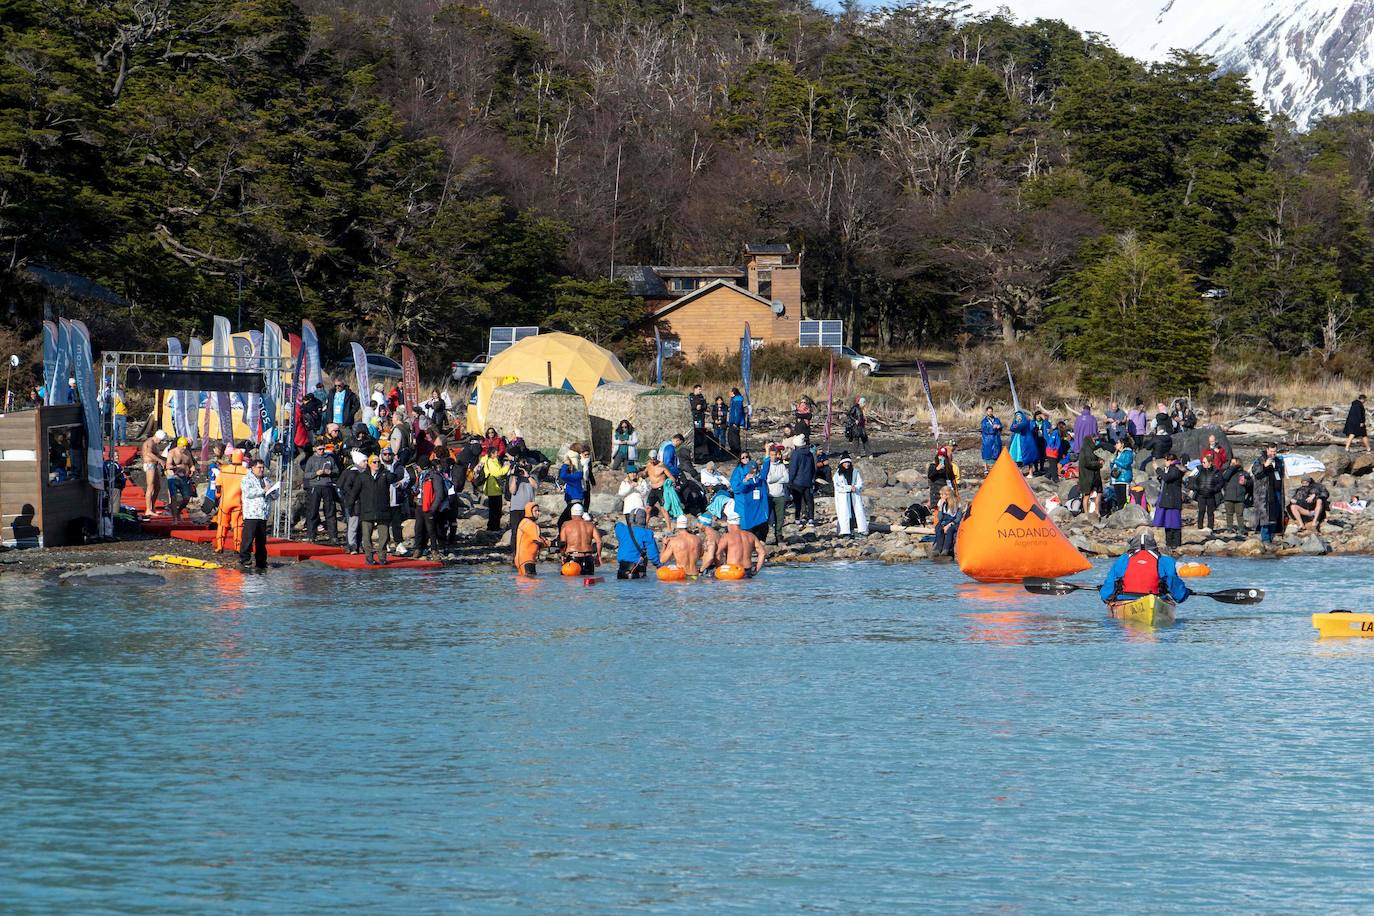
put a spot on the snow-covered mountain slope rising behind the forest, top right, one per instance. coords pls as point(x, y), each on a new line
point(1306, 58)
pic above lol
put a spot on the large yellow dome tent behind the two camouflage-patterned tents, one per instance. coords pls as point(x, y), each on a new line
point(557, 360)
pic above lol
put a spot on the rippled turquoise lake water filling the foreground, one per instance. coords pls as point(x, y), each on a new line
point(836, 738)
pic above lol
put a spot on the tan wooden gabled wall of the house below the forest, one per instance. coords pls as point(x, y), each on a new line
point(714, 322)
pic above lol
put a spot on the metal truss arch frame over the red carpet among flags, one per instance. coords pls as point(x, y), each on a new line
point(277, 384)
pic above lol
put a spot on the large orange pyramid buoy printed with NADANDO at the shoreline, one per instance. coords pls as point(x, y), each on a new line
point(1006, 535)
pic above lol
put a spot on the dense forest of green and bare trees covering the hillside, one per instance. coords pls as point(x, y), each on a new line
point(412, 172)
